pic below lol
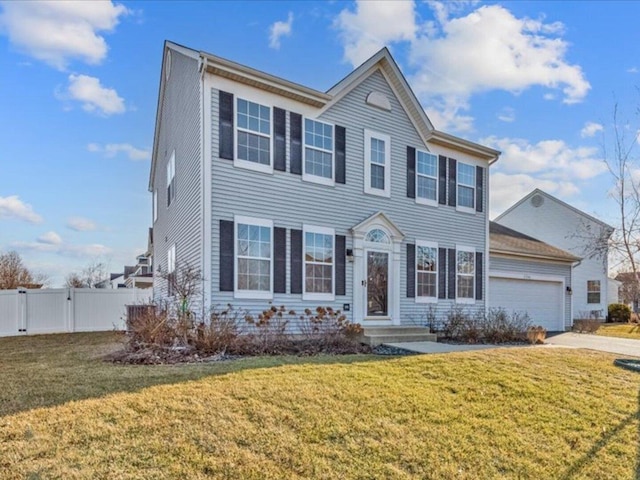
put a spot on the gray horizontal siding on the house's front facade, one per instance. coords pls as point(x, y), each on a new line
point(289, 201)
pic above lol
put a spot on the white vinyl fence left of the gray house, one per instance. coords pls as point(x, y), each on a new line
point(60, 310)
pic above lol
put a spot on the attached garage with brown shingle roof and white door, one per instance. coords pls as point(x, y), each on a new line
point(528, 275)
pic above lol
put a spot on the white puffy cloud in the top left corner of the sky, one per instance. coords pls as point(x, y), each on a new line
point(56, 32)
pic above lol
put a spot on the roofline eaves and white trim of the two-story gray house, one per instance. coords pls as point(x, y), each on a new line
point(382, 60)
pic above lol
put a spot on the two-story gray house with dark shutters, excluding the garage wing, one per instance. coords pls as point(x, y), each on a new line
point(283, 194)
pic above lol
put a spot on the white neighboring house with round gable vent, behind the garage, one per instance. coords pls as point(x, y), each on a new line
point(557, 223)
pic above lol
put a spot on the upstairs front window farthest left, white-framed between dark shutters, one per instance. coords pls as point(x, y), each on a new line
point(253, 136)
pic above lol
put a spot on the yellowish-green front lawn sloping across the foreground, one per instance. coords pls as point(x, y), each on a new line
point(514, 413)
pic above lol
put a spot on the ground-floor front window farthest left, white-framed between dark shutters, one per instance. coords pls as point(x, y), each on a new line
point(254, 258)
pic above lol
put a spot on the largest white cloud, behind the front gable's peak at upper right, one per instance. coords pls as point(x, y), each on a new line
point(457, 56)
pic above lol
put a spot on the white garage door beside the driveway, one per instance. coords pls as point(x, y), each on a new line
point(542, 300)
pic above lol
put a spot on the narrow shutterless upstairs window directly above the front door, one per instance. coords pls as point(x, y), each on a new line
point(377, 154)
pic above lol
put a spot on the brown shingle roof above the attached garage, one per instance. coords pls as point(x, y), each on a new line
point(508, 241)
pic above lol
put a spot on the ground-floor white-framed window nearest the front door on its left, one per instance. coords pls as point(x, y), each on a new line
point(318, 248)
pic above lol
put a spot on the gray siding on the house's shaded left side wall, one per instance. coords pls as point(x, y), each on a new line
point(179, 130)
